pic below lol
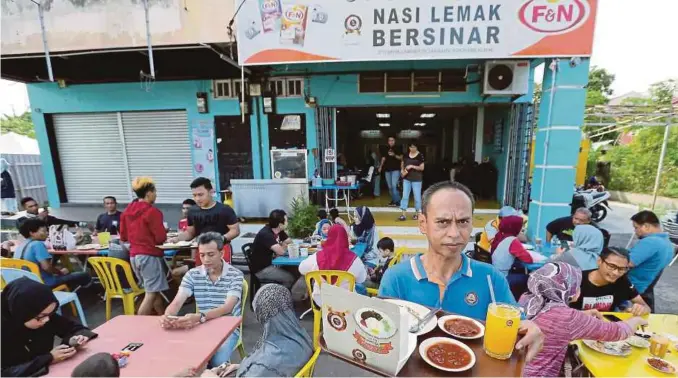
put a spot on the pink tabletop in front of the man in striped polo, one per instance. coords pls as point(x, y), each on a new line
point(165, 353)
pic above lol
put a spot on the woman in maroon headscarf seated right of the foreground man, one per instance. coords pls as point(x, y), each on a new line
point(506, 248)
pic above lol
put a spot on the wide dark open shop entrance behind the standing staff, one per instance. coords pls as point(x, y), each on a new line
point(445, 135)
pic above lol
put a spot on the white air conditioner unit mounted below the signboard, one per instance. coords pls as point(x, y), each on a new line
point(506, 77)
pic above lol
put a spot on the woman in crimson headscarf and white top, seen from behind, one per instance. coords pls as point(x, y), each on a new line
point(335, 255)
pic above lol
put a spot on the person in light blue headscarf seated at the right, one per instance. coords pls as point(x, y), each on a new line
point(588, 243)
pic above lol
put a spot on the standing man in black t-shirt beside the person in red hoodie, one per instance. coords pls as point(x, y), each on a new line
point(210, 216)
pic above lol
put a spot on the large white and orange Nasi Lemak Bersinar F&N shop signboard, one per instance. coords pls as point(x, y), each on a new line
point(295, 31)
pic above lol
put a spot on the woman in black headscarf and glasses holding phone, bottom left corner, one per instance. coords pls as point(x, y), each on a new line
point(29, 325)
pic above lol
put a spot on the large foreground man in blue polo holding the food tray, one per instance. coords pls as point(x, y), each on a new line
point(445, 277)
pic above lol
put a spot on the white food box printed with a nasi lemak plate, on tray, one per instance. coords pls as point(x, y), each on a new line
point(368, 331)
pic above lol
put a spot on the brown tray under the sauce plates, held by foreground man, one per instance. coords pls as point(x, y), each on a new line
point(485, 365)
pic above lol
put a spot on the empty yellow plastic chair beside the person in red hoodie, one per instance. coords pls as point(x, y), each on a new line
point(106, 269)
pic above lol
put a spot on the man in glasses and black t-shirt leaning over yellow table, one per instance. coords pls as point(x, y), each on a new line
point(608, 287)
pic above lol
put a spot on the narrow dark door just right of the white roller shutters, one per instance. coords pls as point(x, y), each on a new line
point(234, 149)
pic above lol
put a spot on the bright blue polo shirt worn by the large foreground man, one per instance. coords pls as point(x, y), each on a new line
point(467, 293)
